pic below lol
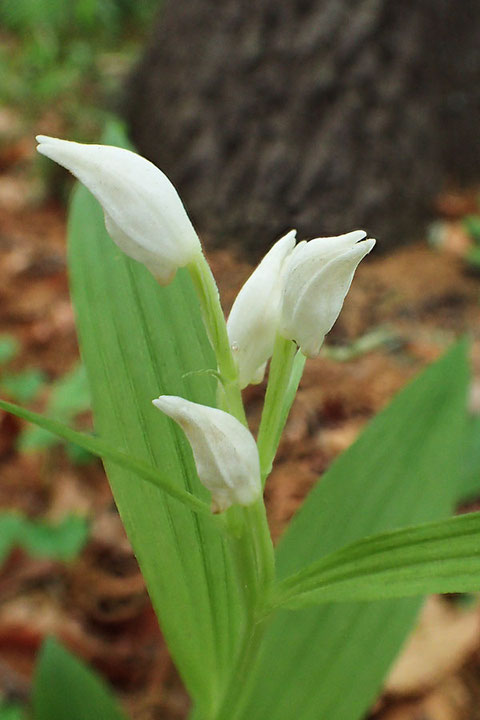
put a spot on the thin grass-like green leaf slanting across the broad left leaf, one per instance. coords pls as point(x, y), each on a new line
point(102, 449)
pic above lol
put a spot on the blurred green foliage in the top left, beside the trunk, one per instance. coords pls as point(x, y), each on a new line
point(57, 51)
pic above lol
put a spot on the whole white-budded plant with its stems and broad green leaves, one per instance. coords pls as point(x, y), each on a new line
point(307, 629)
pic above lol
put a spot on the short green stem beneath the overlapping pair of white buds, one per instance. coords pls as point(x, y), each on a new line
point(285, 373)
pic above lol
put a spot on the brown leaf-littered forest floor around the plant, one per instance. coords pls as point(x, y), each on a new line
point(410, 304)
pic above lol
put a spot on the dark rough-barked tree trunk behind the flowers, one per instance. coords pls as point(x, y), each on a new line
point(325, 115)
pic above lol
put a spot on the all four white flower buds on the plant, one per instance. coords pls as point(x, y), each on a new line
point(296, 292)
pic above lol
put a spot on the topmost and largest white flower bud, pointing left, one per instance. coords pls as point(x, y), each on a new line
point(143, 212)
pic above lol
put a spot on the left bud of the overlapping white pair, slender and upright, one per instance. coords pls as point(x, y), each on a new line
point(255, 315)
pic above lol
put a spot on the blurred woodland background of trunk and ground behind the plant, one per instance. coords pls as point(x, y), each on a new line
point(324, 115)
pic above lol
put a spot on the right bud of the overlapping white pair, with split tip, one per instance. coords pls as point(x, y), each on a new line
point(317, 278)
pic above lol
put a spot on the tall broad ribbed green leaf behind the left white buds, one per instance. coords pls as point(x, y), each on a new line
point(139, 340)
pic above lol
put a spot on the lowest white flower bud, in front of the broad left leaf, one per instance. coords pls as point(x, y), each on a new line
point(225, 452)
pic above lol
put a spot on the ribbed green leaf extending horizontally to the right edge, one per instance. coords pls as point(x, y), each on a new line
point(439, 557)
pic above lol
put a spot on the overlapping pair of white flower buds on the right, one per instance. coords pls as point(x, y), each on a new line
point(298, 291)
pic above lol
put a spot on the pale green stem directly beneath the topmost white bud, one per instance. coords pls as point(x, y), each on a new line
point(214, 320)
